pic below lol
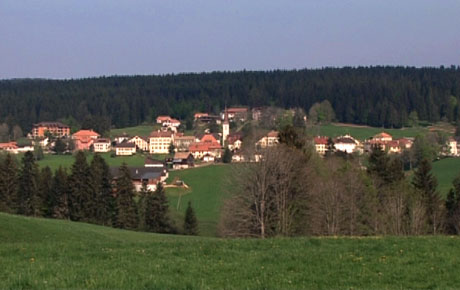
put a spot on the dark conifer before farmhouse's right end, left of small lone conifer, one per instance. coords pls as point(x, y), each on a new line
point(156, 212)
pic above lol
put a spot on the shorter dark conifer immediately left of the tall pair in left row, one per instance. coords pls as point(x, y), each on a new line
point(58, 200)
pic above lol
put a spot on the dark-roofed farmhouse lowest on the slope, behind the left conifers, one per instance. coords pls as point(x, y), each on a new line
point(150, 176)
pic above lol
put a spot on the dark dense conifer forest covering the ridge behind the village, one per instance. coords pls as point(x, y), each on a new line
point(376, 96)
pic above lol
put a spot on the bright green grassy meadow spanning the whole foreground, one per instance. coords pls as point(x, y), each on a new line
point(40, 253)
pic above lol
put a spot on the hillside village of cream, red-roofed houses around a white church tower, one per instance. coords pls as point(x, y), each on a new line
point(169, 148)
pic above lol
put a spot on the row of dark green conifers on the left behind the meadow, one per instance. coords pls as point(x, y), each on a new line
point(87, 194)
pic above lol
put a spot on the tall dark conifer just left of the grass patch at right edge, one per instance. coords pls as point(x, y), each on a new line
point(425, 182)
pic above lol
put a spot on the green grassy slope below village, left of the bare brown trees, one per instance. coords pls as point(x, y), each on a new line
point(206, 191)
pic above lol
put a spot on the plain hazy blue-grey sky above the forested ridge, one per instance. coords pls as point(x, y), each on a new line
point(63, 39)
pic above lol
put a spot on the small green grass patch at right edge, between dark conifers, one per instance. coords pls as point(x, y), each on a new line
point(445, 171)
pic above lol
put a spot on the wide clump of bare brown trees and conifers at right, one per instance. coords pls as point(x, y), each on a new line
point(293, 192)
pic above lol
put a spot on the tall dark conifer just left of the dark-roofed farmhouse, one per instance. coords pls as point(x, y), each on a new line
point(126, 216)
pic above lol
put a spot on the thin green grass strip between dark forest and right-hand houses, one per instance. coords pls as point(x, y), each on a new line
point(362, 133)
